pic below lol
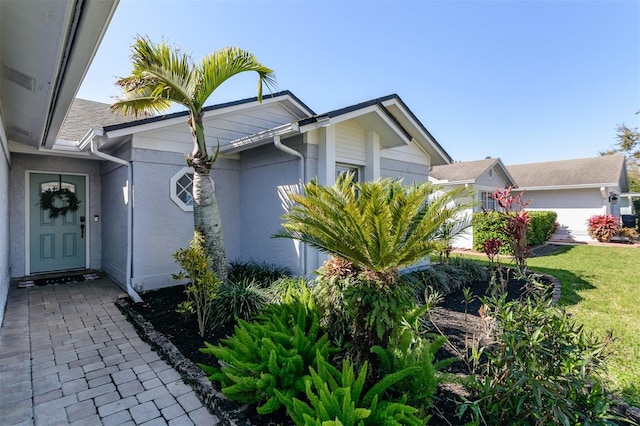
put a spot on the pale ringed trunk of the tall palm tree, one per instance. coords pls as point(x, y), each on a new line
point(206, 217)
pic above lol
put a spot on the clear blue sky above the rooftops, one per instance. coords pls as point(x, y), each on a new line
point(526, 81)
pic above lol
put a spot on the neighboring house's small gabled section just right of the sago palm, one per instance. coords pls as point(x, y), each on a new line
point(483, 176)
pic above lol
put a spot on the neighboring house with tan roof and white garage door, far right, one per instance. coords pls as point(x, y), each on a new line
point(576, 189)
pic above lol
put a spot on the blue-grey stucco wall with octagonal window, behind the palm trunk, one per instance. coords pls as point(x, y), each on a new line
point(161, 227)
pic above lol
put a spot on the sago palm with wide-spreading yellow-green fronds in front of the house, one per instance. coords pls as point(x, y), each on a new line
point(379, 226)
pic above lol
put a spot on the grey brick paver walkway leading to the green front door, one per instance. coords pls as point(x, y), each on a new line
point(69, 356)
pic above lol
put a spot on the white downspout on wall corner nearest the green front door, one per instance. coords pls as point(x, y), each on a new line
point(89, 139)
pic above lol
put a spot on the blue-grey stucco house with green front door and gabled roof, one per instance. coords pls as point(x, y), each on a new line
point(136, 189)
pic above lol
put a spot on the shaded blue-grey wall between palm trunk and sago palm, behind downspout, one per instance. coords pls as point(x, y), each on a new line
point(266, 170)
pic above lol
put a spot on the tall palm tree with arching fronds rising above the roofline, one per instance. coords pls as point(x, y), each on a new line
point(161, 76)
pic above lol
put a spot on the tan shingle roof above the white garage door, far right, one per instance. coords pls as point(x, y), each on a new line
point(587, 172)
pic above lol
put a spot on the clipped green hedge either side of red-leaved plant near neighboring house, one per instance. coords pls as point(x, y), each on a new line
point(488, 225)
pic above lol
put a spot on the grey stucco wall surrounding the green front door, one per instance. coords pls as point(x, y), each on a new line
point(41, 163)
